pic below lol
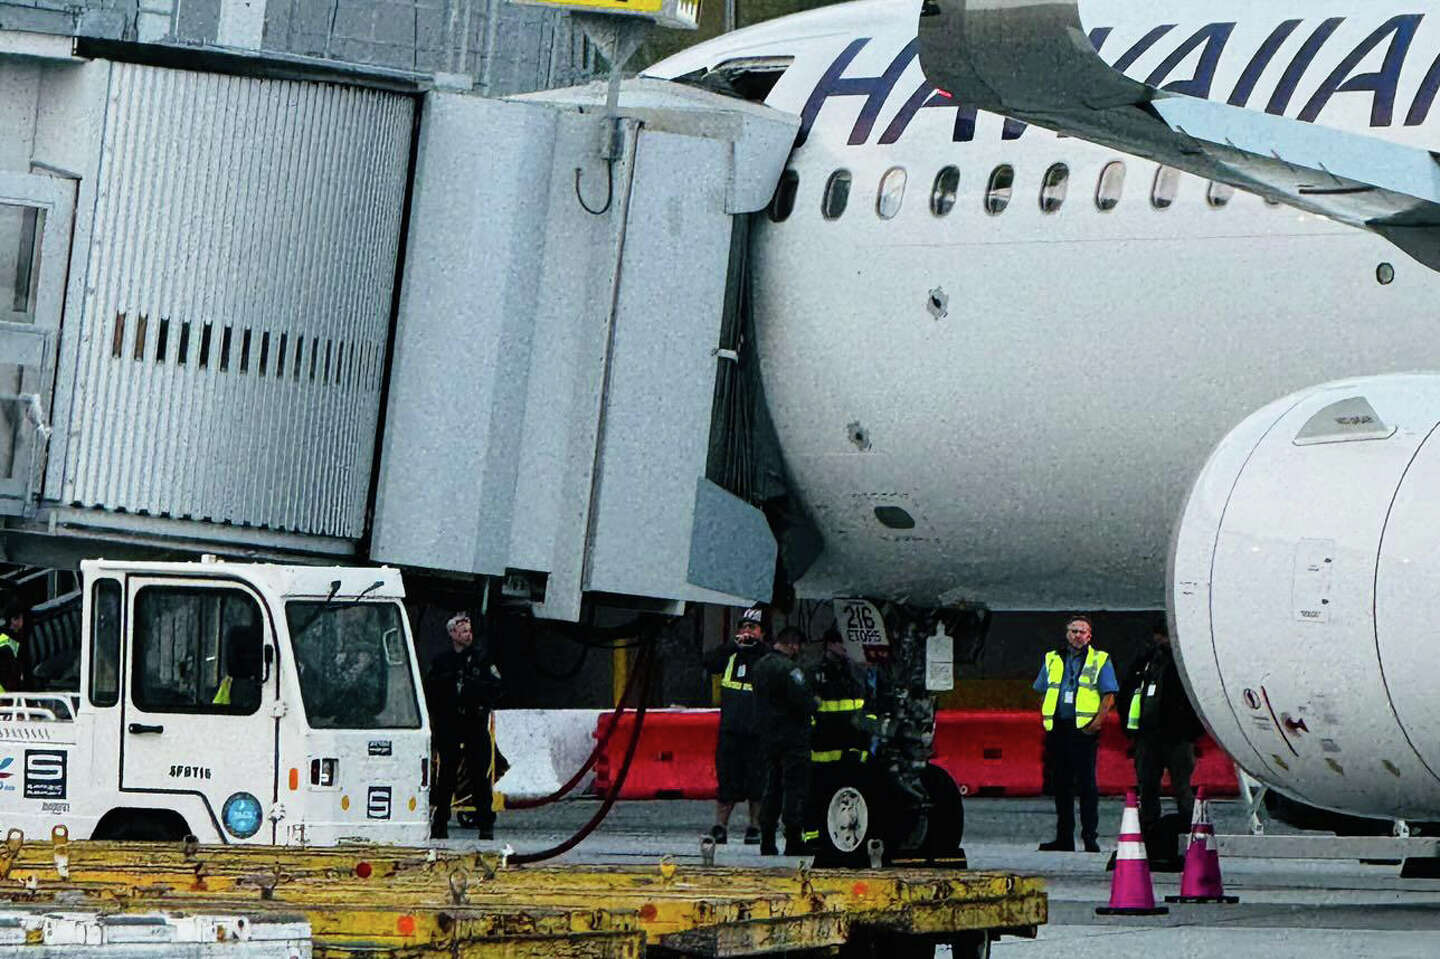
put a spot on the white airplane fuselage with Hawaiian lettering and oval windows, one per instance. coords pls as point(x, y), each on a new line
point(1045, 427)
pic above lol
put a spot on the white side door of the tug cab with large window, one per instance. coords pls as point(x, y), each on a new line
point(199, 719)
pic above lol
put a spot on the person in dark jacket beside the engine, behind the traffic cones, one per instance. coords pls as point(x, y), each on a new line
point(1166, 728)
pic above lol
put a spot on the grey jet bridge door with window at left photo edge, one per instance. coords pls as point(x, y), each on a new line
point(35, 250)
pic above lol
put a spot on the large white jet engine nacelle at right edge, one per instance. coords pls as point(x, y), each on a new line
point(1305, 593)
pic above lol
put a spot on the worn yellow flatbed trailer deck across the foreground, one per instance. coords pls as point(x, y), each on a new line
point(388, 902)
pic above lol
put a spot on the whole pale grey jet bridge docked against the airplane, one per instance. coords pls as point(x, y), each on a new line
point(345, 319)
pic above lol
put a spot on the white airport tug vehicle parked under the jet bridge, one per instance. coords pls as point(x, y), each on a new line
point(231, 702)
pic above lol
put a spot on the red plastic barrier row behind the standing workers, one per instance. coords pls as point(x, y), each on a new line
point(987, 752)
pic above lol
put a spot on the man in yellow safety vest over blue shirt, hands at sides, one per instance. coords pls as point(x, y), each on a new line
point(1079, 690)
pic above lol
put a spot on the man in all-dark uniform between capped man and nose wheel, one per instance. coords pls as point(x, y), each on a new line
point(784, 706)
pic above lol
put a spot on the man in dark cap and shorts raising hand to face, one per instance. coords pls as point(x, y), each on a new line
point(739, 775)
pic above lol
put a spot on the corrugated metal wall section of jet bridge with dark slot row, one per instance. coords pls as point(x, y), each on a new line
point(238, 300)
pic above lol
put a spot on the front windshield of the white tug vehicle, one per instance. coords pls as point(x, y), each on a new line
point(354, 665)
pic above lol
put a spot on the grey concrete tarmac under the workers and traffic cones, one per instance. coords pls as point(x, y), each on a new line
point(1290, 909)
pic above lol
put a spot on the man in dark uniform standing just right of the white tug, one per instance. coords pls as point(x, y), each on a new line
point(462, 690)
